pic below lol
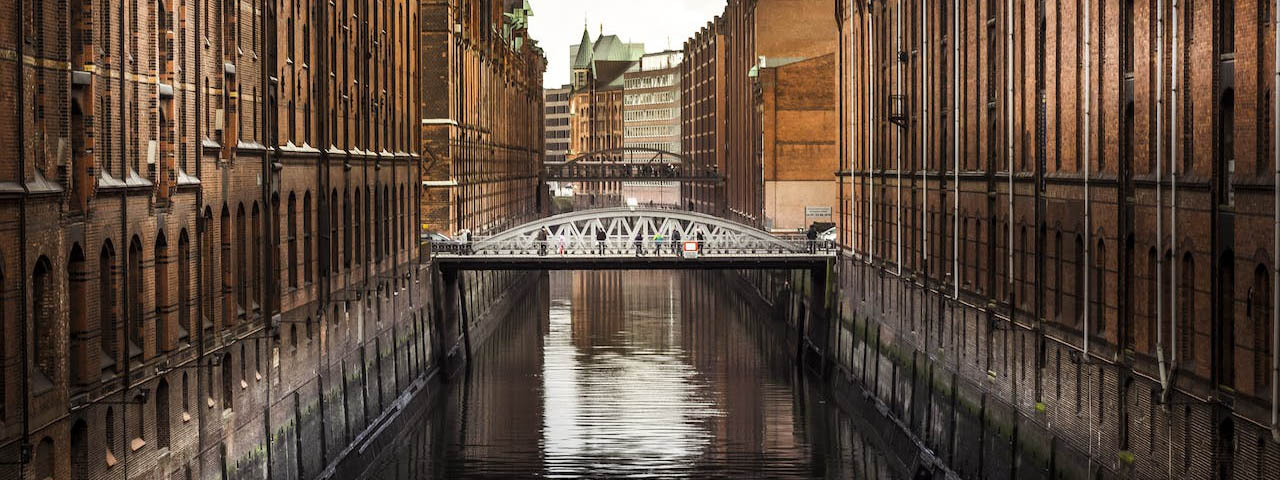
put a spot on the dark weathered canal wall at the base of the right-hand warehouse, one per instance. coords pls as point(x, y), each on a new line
point(981, 396)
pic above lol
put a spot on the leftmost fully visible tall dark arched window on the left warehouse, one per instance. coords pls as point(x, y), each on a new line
point(44, 303)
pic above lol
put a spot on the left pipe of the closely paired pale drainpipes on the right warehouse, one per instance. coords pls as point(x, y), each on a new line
point(1160, 198)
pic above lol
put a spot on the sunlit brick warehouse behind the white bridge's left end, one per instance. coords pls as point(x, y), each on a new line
point(482, 116)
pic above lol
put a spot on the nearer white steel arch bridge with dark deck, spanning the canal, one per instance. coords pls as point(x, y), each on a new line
point(634, 239)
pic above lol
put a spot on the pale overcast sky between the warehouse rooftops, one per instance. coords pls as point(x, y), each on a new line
point(657, 24)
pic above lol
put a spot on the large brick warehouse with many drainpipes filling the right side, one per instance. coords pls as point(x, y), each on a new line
point(1108, 308)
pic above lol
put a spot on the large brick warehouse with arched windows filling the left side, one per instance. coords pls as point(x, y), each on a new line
point(189, 296)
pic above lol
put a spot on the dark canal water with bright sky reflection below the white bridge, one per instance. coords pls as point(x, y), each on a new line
point(638, 376)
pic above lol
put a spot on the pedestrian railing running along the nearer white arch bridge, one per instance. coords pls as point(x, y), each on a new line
point(625, 246)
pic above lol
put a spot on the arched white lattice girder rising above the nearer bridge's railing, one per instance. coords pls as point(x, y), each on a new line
point(621, 226)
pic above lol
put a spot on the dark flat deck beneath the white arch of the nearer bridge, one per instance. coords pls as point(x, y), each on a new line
point(620, 262)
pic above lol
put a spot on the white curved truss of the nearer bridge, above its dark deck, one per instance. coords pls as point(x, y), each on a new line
point(578, 234)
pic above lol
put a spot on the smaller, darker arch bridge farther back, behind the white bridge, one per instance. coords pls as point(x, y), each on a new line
point(629, 164)
